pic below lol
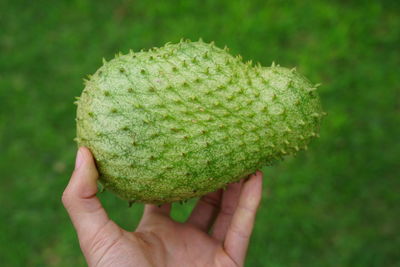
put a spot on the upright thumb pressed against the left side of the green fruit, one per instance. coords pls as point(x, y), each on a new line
point(79, 197)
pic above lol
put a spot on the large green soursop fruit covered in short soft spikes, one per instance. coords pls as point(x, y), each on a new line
point(186, 119)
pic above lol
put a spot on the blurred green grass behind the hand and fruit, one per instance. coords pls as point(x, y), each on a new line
point(335, 205)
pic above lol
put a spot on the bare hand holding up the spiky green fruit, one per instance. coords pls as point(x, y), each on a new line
point(216, 233)
